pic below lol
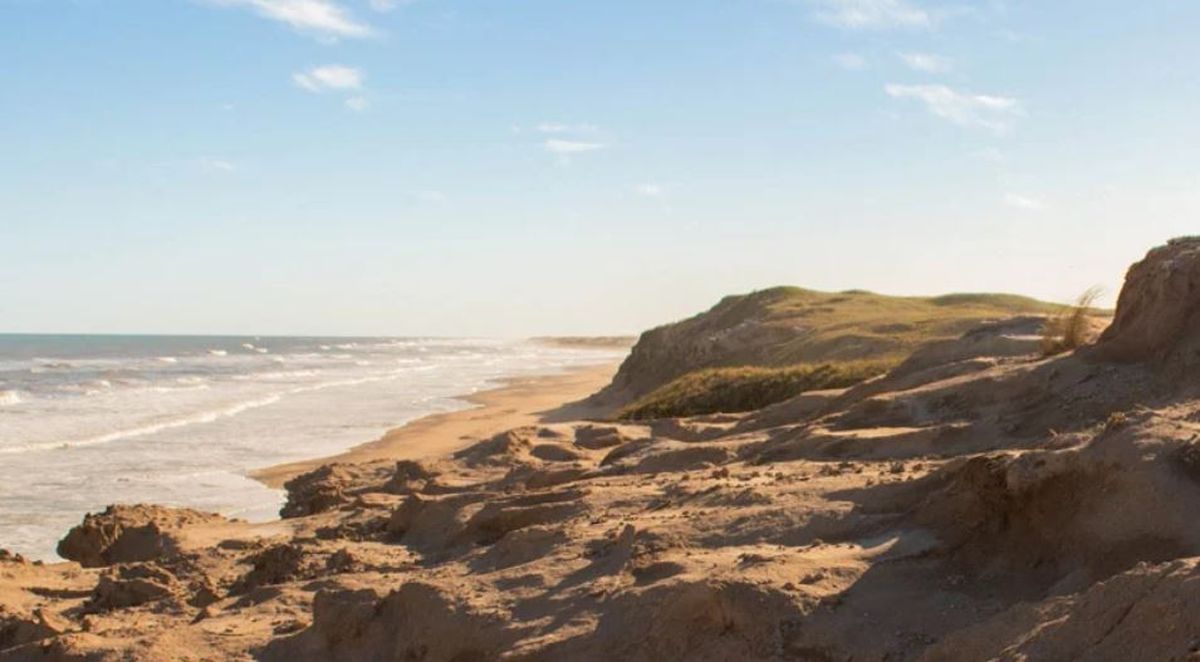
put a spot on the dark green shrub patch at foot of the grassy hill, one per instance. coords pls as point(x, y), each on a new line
point(731, 390)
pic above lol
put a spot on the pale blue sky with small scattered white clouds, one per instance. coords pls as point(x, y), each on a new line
point(541, 167)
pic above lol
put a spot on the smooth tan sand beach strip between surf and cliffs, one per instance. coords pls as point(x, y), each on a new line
point(515, 402)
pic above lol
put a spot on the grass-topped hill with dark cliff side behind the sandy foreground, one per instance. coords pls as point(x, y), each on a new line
point(783, 327)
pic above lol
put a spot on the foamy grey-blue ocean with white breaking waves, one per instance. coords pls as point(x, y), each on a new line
point(87, 422)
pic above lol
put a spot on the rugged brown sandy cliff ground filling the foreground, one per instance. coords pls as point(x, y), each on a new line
point(977, 503)
